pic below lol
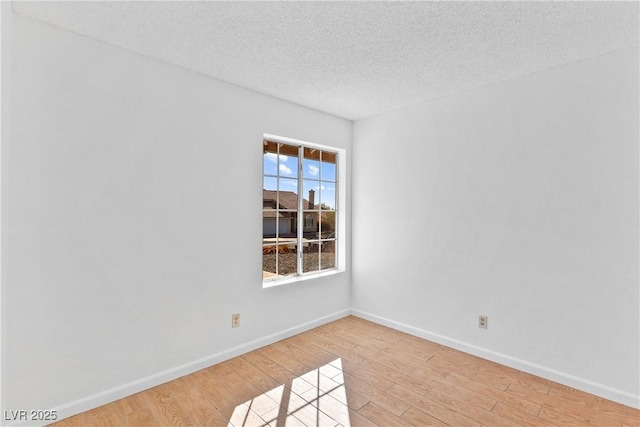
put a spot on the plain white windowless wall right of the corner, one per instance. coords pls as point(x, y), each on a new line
point(518, 201)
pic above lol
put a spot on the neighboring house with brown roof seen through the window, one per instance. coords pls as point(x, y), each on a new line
point(284, 212)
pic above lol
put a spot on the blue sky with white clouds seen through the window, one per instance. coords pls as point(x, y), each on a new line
point(319, 176)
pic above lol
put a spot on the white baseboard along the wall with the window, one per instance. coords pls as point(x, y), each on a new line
point(111, 395)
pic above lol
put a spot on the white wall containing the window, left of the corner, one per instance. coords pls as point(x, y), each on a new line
point(132, 224)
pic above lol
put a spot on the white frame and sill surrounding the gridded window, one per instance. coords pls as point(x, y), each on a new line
point(340, 244)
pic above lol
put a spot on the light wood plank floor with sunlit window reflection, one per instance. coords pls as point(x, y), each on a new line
point(354, 372)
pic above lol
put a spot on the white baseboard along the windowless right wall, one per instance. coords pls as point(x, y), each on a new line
point(588, 386)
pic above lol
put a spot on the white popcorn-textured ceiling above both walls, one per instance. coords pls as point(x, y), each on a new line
point(354, 59)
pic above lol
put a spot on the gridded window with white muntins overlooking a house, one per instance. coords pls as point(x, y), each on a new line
point(299, 210)
